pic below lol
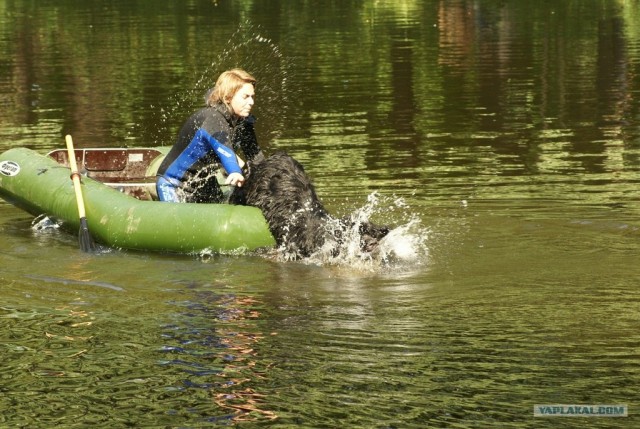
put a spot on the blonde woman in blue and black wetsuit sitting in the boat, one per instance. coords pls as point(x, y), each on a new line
point(207, 139)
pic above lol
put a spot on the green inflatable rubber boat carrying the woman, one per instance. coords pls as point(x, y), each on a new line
point(118, 186)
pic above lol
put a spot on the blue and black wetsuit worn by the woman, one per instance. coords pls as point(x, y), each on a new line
point(206, 141)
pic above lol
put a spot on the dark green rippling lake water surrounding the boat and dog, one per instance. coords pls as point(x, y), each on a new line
point(504, 136)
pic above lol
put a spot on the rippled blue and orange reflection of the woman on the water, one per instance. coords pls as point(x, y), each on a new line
point(215, 342)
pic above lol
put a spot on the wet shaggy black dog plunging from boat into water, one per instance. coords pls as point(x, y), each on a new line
point(279, 186)
